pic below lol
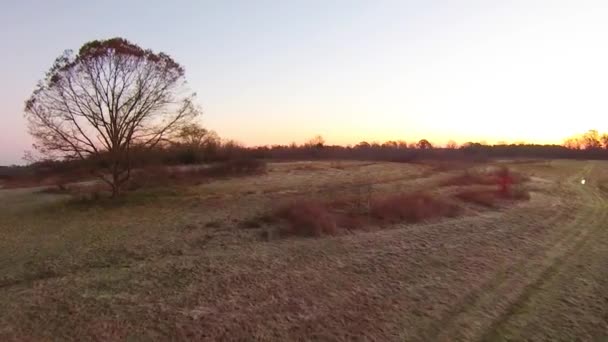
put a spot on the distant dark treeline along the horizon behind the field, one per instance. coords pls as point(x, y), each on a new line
point(207, 147)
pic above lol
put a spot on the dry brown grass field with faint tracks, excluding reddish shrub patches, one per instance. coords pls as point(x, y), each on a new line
point(204, 262)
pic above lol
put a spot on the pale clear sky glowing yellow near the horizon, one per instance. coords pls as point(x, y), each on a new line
point(273, 72)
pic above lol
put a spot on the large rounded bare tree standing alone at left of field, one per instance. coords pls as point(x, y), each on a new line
point(106, 99)
